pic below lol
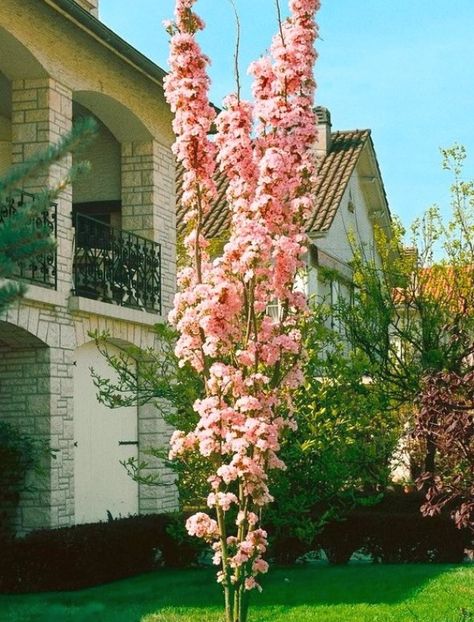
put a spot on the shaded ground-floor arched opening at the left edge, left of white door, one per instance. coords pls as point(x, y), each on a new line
point(25, 404)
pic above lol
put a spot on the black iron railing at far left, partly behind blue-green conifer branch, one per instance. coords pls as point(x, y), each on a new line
point(41, 269)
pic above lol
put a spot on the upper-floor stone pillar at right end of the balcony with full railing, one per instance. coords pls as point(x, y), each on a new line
point(149, 205)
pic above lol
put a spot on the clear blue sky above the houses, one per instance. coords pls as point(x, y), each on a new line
point(404, 68)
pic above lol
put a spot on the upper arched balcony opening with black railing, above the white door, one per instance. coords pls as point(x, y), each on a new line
point(113, 206)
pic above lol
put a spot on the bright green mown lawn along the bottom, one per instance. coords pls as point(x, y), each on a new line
point(364, 593)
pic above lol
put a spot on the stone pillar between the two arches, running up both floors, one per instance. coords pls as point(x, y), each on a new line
point(41, 114)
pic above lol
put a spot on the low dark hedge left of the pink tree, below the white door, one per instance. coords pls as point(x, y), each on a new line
point(85, 555)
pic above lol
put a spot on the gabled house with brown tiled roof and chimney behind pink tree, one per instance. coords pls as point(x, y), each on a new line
point(350, 201)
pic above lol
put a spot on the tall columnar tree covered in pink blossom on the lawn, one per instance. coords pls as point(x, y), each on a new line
point(248, 356)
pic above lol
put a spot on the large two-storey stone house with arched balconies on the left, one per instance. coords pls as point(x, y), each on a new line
point(114, 267)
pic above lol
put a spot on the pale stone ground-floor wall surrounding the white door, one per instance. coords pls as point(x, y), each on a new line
point(36, 393)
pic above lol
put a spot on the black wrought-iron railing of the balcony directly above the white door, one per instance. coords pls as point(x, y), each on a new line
point(116, 266)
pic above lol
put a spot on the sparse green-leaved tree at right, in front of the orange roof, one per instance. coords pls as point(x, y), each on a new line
point(412, 316)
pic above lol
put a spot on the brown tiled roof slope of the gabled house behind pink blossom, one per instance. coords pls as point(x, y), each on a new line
point(334, 172)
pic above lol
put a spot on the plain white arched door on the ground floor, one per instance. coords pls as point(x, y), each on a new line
point(103, 437)
